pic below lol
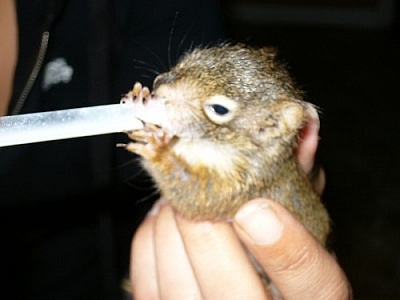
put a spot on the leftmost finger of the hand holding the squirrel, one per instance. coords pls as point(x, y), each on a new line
point(143, 272)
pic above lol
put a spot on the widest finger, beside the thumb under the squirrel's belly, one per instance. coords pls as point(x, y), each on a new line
point(219, 261)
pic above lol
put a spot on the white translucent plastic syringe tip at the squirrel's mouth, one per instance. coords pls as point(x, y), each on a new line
point(69, 123)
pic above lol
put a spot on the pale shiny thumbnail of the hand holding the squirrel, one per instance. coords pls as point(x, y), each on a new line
point(260, 223)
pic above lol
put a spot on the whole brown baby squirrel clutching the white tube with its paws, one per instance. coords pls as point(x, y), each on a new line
point(231, 116)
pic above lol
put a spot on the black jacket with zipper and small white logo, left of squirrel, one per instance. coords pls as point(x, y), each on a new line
point(67, 205)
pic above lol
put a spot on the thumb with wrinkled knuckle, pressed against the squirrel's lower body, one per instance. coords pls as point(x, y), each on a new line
point(296, 263)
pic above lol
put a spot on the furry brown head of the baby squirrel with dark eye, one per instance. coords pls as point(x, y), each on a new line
point(233, 94)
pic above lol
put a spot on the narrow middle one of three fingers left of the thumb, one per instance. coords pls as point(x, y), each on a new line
point(175, 275)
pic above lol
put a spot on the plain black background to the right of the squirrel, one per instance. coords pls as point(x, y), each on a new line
point(345, 55)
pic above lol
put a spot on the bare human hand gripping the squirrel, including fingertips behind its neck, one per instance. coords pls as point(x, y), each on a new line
point(175, 258)
